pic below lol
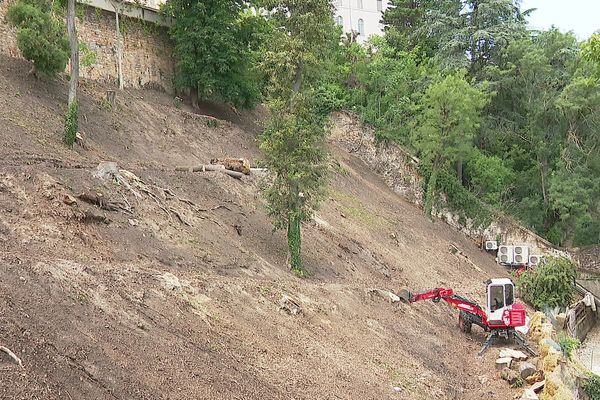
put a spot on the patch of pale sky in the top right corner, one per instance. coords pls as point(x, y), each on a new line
point(579, 16)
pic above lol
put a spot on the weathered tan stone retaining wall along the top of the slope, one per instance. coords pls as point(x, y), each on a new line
point(147, 60)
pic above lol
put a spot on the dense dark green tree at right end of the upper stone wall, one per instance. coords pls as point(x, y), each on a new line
point(215, 43)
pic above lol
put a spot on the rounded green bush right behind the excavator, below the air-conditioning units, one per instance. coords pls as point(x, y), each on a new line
point(550, 284)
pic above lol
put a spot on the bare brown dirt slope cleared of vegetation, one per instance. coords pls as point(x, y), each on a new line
point(181, 298)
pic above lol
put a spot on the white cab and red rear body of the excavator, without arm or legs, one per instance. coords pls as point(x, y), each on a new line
point(501, 308)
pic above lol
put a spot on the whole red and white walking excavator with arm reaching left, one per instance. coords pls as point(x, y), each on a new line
point(501, 319)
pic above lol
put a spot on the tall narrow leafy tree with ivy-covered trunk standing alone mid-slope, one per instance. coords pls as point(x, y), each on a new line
point(294, 142)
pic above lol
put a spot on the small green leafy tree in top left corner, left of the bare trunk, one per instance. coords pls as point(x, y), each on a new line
point(41, 37)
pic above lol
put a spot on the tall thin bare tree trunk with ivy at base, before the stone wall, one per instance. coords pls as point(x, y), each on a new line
point(71, 119)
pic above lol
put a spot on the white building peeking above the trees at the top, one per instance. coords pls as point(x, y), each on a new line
point(361, 16)
